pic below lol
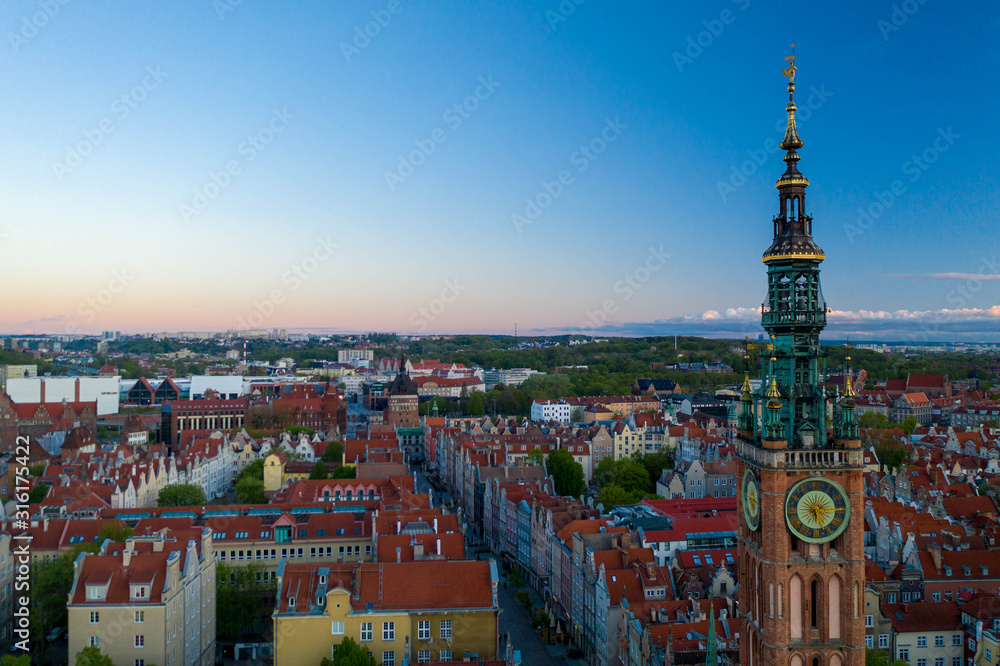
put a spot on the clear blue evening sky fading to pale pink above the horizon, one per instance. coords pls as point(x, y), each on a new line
point(561, 166)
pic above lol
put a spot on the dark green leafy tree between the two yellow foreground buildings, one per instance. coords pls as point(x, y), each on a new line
point(244, 600)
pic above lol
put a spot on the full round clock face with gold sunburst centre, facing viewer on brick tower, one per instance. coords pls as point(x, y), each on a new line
point(817, 510)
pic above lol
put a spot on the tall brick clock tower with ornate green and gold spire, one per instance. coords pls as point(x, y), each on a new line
point(801, 539)
